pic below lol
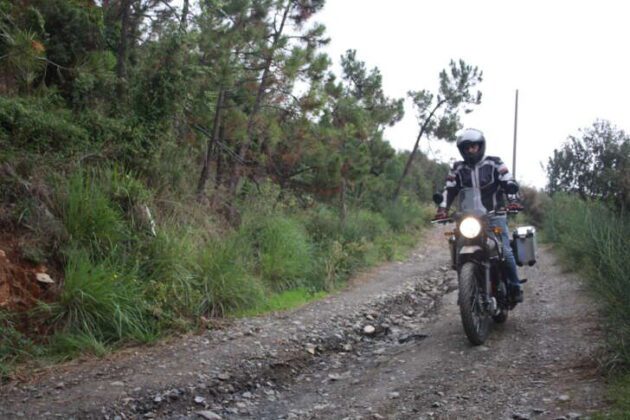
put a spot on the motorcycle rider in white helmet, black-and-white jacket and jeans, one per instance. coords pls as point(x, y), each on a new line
point(491, 177)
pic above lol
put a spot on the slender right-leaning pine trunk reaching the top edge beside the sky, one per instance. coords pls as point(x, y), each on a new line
point(251, 121)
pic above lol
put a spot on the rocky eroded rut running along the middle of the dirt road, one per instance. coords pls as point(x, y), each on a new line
point(390, 319)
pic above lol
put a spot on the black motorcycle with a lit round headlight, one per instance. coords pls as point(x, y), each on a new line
point(477, 256)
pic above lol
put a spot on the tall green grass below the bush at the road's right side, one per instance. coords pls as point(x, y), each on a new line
point(597, 240)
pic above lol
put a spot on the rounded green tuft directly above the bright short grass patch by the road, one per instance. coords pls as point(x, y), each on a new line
point(281, 249)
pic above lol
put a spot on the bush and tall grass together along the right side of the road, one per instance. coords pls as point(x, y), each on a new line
point(588, 219)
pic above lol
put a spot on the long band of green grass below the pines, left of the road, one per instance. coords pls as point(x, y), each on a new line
point(130, 278)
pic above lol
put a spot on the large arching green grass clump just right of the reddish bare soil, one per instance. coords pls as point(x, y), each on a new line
point(99, 301)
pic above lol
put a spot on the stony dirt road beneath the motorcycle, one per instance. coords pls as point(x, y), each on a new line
point(389, 346)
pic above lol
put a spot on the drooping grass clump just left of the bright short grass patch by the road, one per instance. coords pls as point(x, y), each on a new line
point(224, 280)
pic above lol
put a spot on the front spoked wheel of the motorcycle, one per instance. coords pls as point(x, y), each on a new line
point(474, 318)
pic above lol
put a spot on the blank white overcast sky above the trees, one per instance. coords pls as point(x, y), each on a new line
point(569, 60)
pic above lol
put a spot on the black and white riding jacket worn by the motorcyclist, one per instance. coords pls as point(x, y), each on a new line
point(490, 175)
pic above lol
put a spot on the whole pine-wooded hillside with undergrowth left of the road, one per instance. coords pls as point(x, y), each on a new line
point(172, 161)
